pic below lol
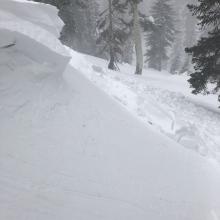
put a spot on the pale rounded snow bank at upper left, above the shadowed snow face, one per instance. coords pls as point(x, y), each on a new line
point(13, 16)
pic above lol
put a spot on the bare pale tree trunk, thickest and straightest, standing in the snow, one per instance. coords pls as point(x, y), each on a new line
point(137, 41)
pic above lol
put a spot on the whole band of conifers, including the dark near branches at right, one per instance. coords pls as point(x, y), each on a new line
point(178, 39)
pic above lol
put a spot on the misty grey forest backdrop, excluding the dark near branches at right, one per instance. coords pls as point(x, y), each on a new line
point(115, 30)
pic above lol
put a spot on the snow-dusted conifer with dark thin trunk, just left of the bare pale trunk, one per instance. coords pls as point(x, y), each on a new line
point(113, 31)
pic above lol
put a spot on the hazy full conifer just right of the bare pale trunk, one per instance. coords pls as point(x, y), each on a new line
point(161, 36)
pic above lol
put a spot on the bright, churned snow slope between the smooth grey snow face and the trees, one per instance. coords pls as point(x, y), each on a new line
point(162, 100)
